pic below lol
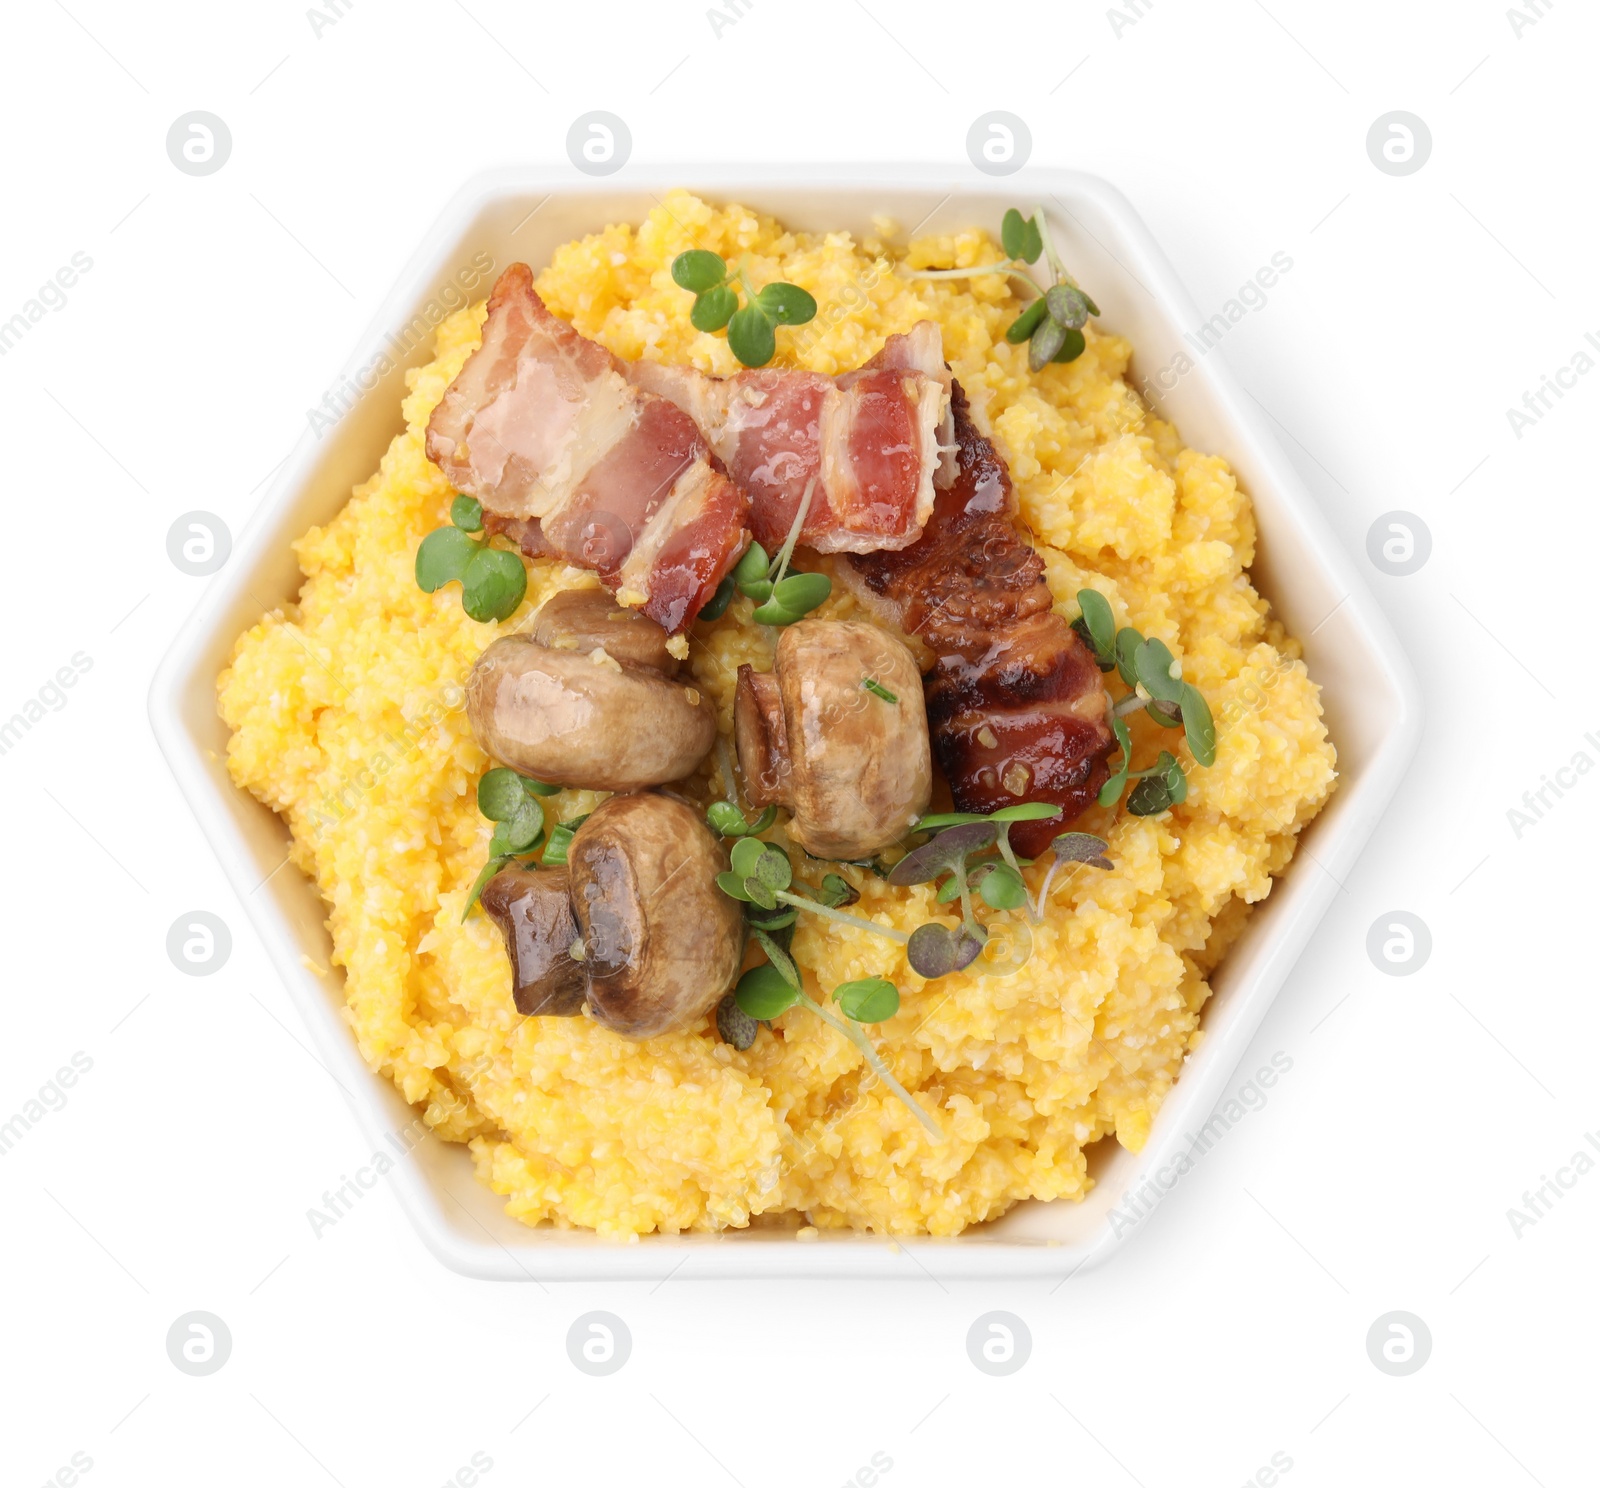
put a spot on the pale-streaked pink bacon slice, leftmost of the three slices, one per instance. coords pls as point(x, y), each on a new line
point(572, 460)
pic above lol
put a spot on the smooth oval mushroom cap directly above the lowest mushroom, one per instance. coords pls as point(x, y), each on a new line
point(569, 719)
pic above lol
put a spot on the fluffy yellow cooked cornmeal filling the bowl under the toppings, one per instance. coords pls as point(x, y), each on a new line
point(348, 718)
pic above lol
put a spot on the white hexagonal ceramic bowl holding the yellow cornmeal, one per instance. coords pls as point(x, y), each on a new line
point(1310, 578)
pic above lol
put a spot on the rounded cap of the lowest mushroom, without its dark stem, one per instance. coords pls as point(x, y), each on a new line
point(662, 945)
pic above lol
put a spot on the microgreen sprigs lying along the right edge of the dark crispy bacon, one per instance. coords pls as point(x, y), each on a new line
point(1158, 686)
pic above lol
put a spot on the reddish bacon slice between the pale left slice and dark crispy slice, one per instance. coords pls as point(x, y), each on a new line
point(871, 441)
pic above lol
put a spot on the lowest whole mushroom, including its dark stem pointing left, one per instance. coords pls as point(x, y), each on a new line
point(634, 926)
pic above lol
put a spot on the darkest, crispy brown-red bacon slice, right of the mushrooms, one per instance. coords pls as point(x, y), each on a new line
point(1017, 708)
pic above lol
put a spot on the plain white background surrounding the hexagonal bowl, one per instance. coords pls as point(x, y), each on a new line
point(1418, 1111)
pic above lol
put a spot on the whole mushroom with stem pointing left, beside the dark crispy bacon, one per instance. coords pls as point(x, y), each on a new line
point(852, 766)
